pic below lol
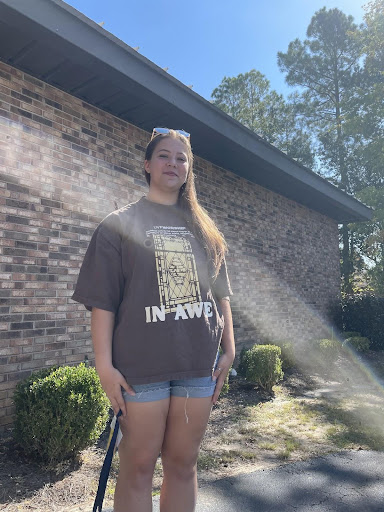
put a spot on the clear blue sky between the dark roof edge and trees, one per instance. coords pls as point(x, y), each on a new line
point(202, 41)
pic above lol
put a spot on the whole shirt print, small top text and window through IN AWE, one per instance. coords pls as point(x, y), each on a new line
point(179, 288)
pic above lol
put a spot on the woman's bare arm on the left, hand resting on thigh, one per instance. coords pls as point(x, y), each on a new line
point(102, 324)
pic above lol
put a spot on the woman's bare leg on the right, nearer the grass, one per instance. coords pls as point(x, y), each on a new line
point(180, 450)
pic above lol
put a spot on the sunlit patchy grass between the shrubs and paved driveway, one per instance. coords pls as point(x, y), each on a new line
point(296, 426)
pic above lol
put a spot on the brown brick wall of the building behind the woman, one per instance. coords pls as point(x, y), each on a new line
point(64, 165)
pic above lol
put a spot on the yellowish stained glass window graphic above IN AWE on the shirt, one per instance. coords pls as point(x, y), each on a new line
point(176, 271)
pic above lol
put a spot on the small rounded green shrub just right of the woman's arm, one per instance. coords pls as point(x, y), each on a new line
point(263, 365)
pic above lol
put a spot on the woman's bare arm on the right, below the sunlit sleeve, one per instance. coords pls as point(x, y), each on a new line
point(228, 347)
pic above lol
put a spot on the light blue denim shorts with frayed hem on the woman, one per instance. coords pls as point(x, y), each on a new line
point(200, 387)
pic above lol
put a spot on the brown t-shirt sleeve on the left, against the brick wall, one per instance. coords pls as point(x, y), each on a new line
point(101, 281)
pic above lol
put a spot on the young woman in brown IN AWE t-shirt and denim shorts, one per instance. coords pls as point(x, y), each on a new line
point(154, 277)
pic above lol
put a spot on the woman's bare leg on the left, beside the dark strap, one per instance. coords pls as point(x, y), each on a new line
point(143, 433)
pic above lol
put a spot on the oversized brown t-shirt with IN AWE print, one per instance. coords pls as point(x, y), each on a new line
point(144, 264)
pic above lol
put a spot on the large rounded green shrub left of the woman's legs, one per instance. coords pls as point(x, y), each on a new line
point(59, 412)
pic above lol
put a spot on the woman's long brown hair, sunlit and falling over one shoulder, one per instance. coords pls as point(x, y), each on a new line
point(202, 224)
